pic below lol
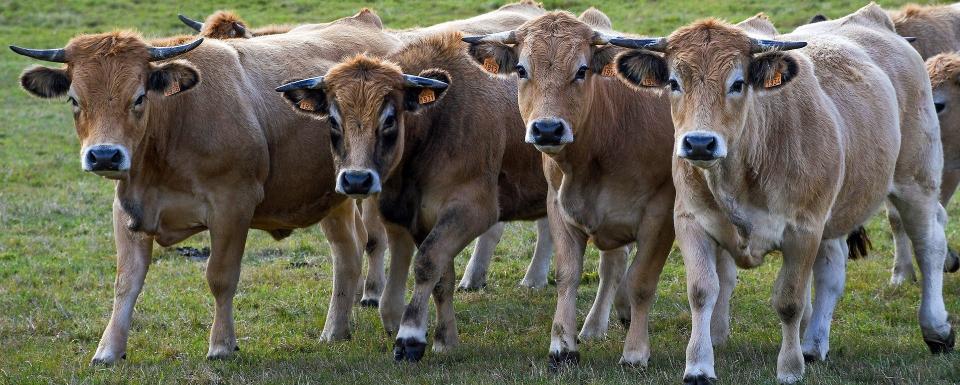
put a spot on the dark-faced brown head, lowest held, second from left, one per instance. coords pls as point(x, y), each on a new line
point(366, 101)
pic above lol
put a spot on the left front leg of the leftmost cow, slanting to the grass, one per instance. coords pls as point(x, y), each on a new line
point(133, 258)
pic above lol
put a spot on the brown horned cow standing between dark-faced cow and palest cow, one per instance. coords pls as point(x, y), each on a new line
point(606, 155)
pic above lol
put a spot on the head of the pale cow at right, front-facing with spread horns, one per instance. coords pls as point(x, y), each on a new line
point(712, 71)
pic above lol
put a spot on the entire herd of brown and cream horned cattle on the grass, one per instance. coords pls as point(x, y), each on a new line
point(731, 139)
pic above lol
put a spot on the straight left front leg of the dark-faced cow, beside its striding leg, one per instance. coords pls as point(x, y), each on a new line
point(402, 247)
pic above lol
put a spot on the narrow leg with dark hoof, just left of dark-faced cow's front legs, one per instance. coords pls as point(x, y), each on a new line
point(376, 247)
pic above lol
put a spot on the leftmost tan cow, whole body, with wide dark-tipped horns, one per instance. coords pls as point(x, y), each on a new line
point(150, 115)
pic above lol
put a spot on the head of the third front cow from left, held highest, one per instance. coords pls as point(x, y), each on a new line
point(556, 58)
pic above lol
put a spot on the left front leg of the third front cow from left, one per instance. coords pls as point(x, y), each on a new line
point(569, 245)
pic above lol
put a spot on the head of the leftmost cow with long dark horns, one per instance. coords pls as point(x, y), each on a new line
point(110, 81)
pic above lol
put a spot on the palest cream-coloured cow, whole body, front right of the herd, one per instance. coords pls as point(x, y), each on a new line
point(780, 145)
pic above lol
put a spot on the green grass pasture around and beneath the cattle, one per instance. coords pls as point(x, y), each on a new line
point(57, 254)
